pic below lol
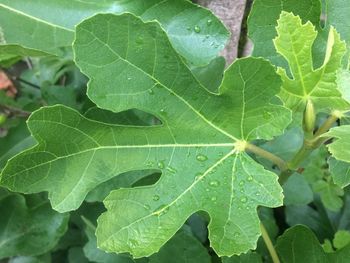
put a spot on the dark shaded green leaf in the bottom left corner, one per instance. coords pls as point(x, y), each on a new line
point(28, 230)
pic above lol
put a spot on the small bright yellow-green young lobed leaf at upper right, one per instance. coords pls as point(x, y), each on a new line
point(294, 42)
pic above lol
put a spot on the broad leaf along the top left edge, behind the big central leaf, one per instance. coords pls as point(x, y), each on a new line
point(48, 25)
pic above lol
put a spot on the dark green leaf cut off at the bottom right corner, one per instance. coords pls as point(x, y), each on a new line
point(299, 244)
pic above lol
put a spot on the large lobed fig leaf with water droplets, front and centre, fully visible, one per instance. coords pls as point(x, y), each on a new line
point(199, 147)
